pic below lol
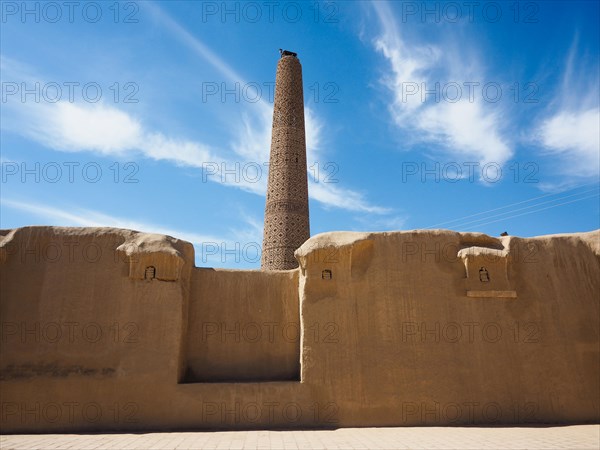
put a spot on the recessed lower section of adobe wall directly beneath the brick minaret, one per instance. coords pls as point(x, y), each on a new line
point(243, 326)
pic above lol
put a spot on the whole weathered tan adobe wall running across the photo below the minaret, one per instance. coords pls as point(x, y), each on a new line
point(107, 329)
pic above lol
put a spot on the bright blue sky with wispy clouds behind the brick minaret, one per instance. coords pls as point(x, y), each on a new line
point(157, 116)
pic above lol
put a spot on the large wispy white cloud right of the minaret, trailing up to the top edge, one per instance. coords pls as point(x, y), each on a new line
point(469, 127)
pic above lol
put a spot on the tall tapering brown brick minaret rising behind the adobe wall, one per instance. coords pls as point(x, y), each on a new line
point(286, 211)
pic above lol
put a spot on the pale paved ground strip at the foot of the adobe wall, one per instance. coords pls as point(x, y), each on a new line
point(572, 437)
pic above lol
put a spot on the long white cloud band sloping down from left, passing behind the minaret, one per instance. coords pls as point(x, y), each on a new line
point(109, 131)
